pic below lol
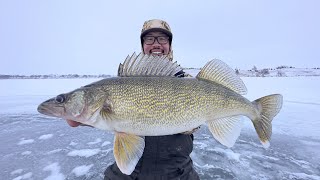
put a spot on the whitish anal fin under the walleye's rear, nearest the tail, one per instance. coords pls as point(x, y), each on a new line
point(226, 130)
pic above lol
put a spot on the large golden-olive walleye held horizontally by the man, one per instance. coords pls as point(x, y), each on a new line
point(147, 100)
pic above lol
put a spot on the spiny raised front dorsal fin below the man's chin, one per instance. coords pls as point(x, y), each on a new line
point(148, 65)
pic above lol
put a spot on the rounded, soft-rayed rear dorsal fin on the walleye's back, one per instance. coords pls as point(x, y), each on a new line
point(219, 72)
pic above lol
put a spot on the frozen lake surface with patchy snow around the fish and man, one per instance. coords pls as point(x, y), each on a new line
point(37, 147)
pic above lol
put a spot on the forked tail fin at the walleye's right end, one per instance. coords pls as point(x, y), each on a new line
point(268, 107)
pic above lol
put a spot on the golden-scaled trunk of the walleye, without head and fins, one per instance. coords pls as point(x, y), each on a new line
point(152, 106)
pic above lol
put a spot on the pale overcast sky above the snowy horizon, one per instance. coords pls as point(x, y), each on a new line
point(93, 37)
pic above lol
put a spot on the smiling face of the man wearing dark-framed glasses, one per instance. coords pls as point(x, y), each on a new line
point(156, 43)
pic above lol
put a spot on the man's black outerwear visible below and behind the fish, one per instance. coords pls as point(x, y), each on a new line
point(164, 158)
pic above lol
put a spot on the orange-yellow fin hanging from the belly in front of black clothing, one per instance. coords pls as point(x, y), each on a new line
point(127, 151)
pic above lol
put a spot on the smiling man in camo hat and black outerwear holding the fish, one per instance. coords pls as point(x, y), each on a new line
point(164, 157)
